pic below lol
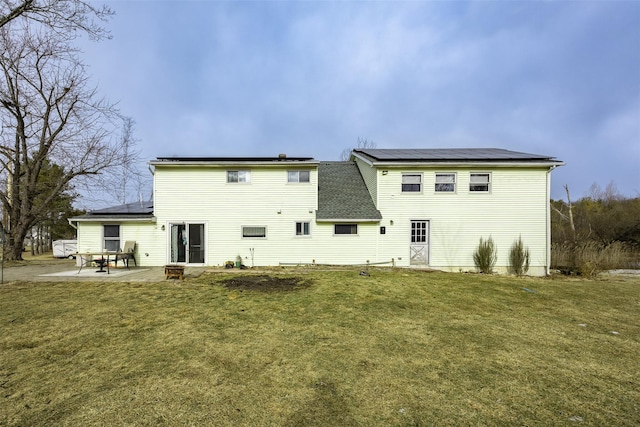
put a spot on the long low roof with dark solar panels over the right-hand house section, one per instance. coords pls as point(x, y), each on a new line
point(451, 154)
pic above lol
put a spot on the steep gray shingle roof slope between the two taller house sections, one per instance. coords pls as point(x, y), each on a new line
point(343, 195)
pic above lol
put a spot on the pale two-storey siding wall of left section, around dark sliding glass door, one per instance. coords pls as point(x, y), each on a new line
point(203, 195)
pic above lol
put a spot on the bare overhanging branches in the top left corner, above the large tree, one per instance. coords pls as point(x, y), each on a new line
point(65, 17)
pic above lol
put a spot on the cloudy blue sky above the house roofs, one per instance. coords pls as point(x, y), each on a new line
point(308, 78)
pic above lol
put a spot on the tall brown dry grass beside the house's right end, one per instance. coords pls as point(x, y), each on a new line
point(590, 258)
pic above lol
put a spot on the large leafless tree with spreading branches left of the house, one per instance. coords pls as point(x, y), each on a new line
point(49, 113)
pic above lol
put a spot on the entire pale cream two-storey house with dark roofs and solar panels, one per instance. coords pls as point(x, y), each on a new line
point(416, 207)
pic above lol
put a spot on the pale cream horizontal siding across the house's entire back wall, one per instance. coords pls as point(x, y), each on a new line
point(516, 205)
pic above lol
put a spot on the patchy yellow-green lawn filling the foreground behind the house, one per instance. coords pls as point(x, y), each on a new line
point(396, 348)
